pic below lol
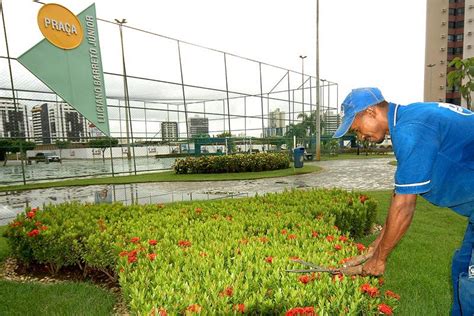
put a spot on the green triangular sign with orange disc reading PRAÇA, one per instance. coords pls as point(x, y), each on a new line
point(71, 70)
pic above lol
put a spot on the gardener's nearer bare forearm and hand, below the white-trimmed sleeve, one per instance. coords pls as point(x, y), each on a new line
point(398, 220)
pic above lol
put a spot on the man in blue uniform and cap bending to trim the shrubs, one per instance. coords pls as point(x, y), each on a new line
point(434, 146)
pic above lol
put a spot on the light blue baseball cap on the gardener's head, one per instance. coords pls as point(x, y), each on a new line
point(357, 101)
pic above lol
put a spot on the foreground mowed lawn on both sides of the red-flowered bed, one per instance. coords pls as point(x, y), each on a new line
point(418, 269)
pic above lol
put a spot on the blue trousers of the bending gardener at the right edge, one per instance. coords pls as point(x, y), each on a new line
point(461, 262)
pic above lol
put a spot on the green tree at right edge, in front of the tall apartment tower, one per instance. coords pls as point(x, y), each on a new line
point(462, 77)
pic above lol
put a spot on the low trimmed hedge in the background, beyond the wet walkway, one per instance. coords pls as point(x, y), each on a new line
point(232, 163)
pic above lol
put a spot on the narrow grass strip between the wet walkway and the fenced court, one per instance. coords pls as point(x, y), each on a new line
point(167, 176)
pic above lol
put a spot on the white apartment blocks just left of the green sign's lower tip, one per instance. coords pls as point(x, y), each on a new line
point(58, 121)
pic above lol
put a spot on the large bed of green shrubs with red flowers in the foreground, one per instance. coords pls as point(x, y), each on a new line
point(219, 257)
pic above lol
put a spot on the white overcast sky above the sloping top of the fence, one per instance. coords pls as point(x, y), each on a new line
point(362, 43)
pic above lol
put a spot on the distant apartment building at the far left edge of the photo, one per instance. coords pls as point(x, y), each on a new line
point(13, 120)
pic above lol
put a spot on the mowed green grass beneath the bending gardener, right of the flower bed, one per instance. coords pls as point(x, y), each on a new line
point(419, 268)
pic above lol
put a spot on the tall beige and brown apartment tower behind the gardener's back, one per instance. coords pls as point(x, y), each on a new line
point(449, 34)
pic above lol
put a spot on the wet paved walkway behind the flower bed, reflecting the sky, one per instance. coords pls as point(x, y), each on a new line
point(356, 174)
